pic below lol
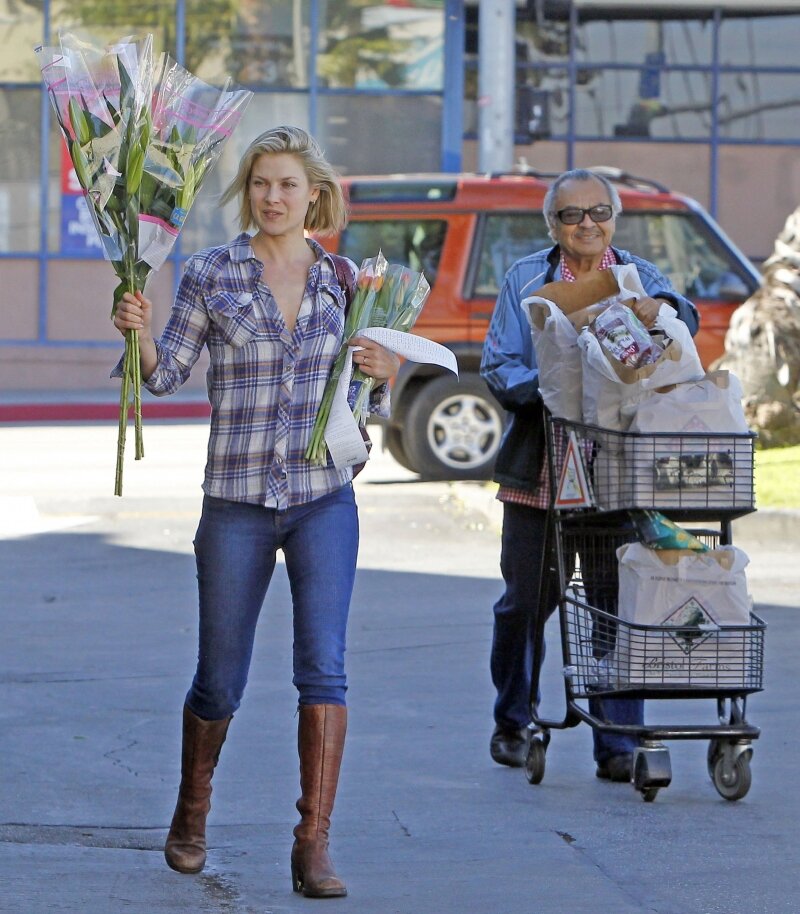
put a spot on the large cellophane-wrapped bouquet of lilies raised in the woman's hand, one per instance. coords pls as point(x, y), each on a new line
point(142, 137)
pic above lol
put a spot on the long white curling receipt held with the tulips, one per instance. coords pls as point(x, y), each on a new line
point(342, 434)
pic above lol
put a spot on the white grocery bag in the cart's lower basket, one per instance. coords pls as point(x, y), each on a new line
point(685, 619)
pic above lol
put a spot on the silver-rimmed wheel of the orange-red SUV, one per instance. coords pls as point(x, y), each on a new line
point(453, 428)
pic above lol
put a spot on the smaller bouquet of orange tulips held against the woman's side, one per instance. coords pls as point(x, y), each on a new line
point(387, 295)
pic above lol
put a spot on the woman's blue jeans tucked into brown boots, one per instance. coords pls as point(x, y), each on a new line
point(236, 547)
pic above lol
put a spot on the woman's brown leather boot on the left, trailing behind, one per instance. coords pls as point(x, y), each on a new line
point(185, 850)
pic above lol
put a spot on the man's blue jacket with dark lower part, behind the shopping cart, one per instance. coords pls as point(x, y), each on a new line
point(509, 363)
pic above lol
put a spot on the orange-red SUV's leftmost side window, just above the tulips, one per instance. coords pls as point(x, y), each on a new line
point(417, 243)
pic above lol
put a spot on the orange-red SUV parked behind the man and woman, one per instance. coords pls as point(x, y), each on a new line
point(464, 231)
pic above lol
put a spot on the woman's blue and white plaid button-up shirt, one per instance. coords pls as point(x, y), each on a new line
point(265, 383)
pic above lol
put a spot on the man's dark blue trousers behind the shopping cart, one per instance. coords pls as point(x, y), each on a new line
point(516, 616)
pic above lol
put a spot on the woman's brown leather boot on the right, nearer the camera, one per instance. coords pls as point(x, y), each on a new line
point(320, 742)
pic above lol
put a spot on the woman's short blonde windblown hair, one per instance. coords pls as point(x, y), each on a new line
point(328, 213)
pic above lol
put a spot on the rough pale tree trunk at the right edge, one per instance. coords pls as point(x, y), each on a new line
point(762, 346)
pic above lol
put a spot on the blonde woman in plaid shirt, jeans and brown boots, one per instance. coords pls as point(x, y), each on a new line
point(270, 308)
